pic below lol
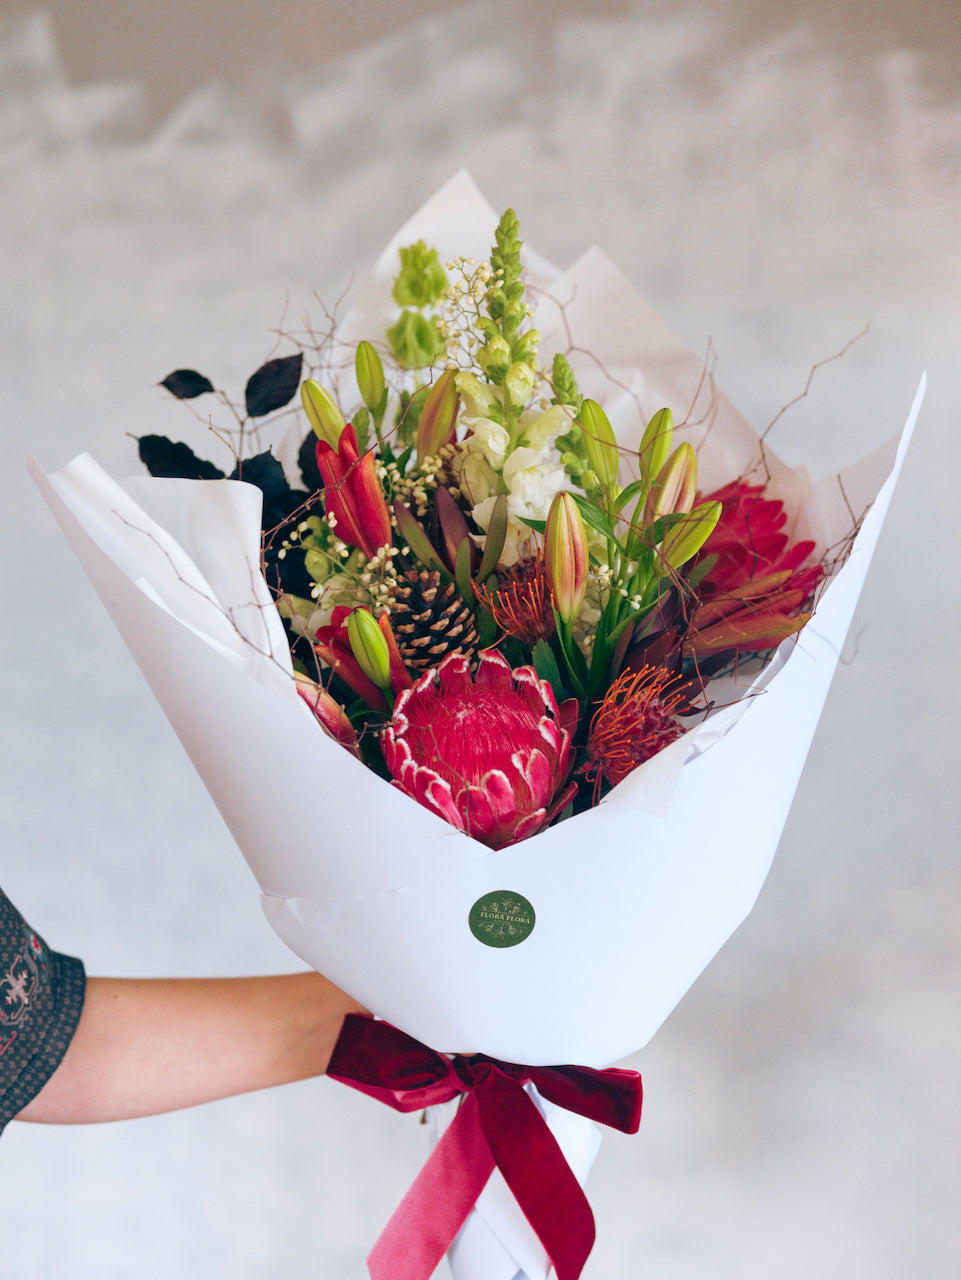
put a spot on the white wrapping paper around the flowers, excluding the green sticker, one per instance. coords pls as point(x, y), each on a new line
point(634, 898)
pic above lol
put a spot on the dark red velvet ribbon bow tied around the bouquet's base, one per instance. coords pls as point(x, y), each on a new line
point(497, 1126)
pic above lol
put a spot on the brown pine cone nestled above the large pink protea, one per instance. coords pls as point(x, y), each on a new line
point(431, 620)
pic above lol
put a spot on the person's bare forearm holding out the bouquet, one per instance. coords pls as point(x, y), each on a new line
point(147, 1046)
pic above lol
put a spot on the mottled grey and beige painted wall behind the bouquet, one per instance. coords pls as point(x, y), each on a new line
point(771, 176)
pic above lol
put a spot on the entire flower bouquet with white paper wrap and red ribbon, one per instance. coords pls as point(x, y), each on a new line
point(502, 670)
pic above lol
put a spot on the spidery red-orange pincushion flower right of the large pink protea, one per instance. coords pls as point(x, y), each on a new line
point(634, 723)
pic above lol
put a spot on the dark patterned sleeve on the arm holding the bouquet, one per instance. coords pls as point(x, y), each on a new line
point(42, 996)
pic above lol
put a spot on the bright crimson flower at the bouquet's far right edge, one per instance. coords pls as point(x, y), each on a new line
point(751, 542)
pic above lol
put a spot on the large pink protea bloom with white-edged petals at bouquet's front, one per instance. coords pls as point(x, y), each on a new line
point(488, 755)
